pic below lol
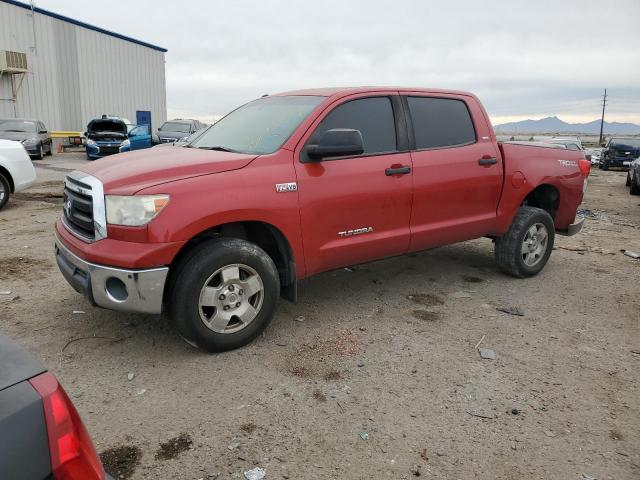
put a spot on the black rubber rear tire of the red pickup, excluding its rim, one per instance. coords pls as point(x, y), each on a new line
point(508, 249)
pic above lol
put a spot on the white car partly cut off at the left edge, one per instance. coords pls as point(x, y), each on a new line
point(16, 170)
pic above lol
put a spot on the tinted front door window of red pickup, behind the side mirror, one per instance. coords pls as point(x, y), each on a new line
point(372, 116)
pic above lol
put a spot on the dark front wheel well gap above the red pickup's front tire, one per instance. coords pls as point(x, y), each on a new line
point(262, 234)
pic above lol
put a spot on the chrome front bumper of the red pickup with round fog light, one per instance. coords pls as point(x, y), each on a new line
point(113, 288)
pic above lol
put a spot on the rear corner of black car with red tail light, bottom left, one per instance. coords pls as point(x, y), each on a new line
point(41, 434)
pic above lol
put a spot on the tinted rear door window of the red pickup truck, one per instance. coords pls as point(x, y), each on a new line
point(440, 122)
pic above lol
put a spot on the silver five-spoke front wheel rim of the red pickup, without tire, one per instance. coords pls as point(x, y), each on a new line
point(231, 298)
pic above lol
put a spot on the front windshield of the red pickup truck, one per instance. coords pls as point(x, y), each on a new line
point(259, 127)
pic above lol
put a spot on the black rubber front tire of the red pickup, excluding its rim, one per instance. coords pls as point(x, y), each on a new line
point(191, 275)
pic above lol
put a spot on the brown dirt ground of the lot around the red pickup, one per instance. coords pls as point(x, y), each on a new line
point(374, 374)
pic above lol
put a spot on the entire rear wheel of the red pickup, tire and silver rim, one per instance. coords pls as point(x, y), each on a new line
point(524, 250)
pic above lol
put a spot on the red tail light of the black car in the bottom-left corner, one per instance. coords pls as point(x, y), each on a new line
point(73, 456)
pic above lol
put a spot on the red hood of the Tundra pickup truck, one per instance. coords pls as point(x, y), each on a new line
point(128, 173)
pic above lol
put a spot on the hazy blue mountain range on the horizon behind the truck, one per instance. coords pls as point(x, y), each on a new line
point(555, 125)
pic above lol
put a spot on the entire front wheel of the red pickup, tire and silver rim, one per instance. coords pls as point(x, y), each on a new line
point(223, 294)
